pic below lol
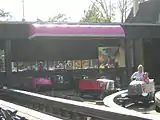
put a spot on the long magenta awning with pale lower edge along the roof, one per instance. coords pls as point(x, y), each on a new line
point(46, 30)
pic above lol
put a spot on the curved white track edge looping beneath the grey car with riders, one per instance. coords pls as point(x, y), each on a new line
point(124, 104)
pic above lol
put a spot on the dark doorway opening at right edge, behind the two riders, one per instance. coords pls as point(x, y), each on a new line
point(152, 58)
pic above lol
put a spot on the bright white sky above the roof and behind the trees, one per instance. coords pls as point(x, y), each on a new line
point(43, 9)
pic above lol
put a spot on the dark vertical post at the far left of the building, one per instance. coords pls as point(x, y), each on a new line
point(8, 65)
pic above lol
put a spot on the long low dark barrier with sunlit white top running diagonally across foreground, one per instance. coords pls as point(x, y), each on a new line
point(69, 109)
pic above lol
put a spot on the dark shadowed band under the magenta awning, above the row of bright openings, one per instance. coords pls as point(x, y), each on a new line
point(59, 48)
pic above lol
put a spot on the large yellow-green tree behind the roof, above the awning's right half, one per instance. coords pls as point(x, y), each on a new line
point(99, 12)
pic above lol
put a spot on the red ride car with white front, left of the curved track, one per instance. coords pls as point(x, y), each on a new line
point(99, 87)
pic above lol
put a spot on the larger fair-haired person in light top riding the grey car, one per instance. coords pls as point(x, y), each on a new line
point(138, 74)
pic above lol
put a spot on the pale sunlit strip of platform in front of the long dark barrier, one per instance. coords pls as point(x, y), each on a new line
point(25, 112)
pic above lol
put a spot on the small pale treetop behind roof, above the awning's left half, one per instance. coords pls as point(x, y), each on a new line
point(59, 18)
